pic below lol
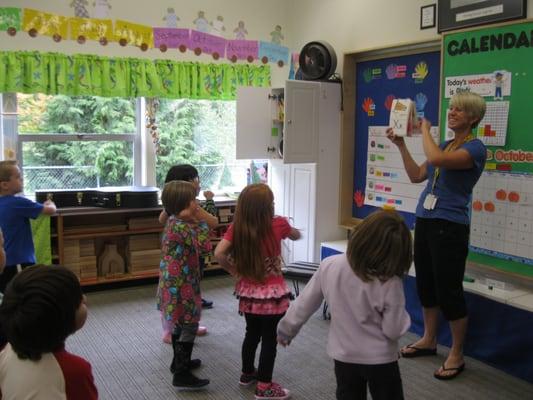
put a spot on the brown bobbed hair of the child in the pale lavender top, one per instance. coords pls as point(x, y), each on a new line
point(380, 247)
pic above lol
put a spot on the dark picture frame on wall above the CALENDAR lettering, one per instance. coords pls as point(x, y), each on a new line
point(457, 14)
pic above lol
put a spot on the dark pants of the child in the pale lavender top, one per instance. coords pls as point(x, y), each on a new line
point(383, 380)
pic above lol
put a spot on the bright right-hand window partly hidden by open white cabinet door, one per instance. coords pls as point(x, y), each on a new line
point(203, 133)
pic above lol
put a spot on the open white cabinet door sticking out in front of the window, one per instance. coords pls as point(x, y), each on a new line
point(255, 123)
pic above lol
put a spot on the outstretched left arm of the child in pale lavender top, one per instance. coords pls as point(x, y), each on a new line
point(300, 310)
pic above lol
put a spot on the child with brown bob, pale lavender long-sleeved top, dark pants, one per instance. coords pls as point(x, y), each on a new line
point(364, 290)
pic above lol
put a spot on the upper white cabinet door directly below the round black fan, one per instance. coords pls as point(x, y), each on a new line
point(300, 140)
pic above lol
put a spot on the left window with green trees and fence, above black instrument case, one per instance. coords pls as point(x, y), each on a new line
point(68, 142)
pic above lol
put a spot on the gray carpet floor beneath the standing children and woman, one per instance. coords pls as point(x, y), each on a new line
point(122, 340)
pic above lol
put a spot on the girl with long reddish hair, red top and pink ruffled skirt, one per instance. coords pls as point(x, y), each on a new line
point(251, 250)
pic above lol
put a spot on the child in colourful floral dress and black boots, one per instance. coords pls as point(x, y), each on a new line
point(179, 299)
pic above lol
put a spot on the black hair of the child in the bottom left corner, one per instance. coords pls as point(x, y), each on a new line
point(38, 311)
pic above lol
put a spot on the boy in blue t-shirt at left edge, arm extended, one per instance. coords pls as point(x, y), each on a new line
point(15, 212)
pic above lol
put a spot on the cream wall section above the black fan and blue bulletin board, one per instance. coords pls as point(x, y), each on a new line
point(356, 25)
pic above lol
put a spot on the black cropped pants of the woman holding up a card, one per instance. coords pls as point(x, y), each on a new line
point(440, 249)
